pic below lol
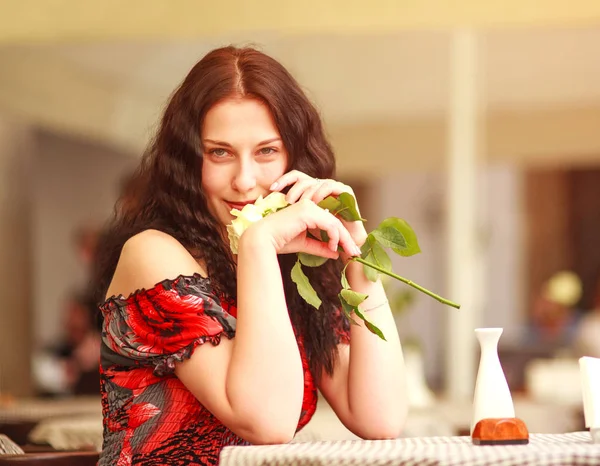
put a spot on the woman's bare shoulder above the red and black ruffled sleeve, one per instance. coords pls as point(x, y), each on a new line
point(149, 258)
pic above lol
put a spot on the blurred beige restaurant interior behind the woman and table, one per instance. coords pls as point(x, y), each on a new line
point(478, 123)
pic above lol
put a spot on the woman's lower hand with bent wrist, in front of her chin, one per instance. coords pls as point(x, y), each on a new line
point(288, 231)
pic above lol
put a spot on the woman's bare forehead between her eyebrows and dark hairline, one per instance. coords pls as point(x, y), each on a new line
point(239, 119)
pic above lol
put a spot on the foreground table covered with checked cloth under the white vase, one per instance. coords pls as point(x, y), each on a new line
point(543, 450)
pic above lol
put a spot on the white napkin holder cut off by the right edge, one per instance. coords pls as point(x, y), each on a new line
point(590, 387)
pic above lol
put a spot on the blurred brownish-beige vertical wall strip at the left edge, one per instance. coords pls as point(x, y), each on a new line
point(15, 261)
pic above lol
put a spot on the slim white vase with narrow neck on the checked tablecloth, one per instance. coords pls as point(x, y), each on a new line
point(492, 397)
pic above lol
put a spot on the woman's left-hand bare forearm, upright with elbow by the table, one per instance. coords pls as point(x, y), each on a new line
point(264, 381)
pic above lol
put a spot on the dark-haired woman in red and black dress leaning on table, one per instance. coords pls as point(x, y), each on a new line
point(238, 127)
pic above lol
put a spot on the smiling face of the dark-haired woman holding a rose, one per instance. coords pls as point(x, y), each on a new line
point(243, 155)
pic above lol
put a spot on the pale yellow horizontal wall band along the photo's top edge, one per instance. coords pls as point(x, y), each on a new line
point(32, 20)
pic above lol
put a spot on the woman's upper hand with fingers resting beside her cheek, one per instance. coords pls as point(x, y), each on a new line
point(306, 187)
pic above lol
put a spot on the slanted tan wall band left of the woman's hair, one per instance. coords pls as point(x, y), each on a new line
point(64, 98)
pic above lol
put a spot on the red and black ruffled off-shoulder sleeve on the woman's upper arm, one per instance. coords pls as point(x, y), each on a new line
point(162, 325)
